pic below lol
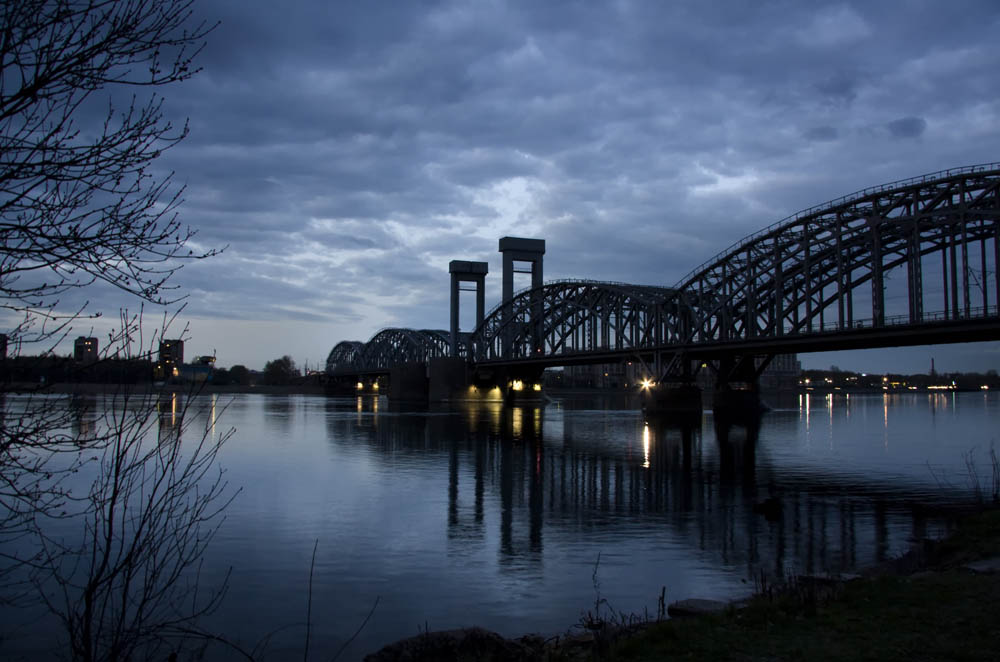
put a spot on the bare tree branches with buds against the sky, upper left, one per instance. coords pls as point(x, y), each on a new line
point(78, 202)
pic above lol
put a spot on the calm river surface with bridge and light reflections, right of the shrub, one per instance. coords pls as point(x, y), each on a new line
point(495, 515)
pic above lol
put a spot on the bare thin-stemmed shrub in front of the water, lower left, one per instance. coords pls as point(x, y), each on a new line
point(126, 587)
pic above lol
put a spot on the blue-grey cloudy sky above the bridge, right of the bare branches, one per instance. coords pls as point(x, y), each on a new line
point(345, 152)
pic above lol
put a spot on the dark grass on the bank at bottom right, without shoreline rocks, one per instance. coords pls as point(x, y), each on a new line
point(940, 612)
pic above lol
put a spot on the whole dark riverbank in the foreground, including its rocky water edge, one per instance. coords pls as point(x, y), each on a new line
point(932, 603)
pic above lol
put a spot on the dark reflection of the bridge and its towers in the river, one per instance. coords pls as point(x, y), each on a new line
point(569, 474)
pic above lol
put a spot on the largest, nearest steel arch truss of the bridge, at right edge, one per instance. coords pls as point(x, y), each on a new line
point(792, 277)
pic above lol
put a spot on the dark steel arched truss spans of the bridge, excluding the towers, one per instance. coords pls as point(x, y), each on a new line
point(911, 262)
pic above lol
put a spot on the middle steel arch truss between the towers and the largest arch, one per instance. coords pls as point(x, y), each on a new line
point(573, 317)
